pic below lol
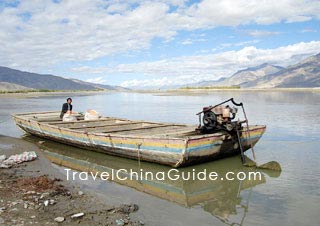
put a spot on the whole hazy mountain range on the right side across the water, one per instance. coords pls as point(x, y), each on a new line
point(303, 74)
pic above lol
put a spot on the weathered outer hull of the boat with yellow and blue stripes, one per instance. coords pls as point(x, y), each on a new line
point(168, 150)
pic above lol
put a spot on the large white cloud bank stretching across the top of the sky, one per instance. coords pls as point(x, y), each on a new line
point(51, 33)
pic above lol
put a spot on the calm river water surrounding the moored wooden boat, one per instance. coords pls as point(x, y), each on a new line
point(292, 139)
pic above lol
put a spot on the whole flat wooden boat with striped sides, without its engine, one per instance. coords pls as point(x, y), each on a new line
point(165, 143)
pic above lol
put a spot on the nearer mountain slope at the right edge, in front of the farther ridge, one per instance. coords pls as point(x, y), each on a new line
point(303, 74)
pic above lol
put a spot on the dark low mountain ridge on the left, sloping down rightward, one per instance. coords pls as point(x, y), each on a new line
point(11, 79)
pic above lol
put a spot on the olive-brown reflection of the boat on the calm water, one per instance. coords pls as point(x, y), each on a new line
point(221, 198)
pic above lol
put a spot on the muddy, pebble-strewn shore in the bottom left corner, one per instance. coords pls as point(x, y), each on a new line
point(36, 193)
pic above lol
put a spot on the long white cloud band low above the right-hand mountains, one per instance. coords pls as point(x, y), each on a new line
point(184, 70)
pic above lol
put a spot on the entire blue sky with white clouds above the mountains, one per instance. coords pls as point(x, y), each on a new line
point(137, 43)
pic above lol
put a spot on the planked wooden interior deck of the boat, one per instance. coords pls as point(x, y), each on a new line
point(115, 125)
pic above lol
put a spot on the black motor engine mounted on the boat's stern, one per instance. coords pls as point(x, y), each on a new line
point(218, 118)
